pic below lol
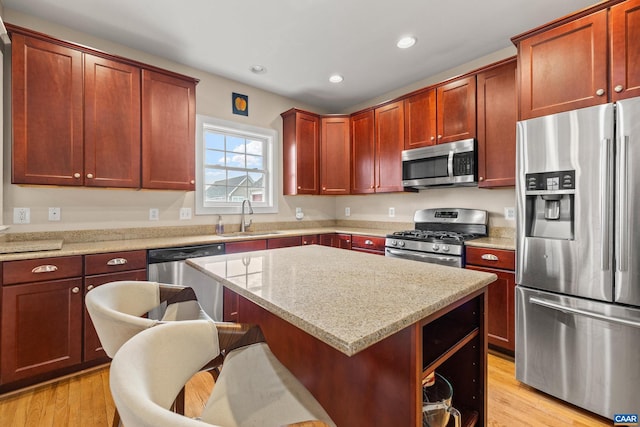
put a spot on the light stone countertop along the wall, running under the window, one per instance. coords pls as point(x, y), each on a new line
point(34, 249)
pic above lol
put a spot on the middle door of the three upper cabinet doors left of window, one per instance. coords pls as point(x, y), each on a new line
point(112, 123)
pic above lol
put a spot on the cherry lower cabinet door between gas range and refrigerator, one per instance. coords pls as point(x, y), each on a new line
point(501, 312)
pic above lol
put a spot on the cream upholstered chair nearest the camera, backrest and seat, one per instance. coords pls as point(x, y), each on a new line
point(253, 389)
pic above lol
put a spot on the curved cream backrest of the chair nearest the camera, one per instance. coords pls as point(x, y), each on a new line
point(151, 368)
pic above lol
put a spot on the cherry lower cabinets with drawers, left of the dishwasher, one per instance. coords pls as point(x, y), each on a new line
point(46, 331)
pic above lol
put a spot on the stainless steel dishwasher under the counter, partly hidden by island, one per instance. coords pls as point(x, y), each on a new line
point(168, 266)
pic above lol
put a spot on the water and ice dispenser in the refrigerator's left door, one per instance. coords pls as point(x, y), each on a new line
point(550, 204)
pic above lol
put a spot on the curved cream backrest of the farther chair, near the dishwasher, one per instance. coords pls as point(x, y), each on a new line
point(115, 309)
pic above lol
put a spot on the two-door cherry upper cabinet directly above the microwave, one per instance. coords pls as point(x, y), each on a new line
point(442, 114)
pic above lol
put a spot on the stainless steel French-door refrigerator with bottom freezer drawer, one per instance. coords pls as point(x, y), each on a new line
point(578, 256)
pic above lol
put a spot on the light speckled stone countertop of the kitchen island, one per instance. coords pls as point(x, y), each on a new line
point(347, 299)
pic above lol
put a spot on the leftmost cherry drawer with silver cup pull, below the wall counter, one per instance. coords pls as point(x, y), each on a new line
point(37, 270)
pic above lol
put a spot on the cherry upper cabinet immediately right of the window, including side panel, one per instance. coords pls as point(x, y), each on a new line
point(300, 151)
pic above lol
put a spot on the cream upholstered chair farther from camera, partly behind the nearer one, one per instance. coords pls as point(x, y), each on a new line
point(117, 309)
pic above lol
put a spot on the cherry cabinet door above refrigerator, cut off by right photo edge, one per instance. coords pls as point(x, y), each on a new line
point(625, 50)
